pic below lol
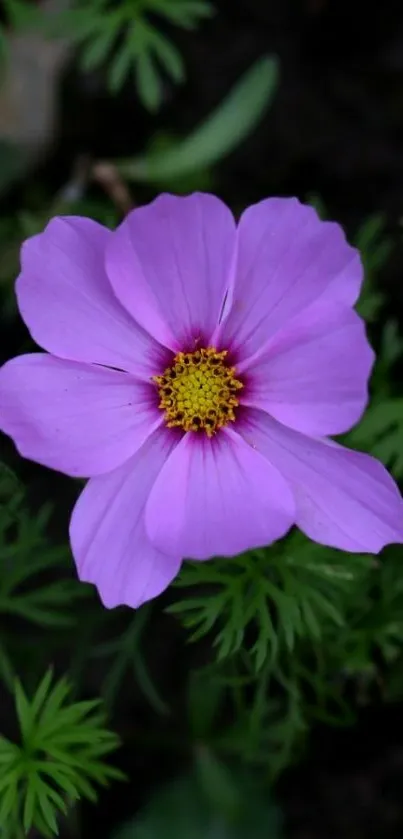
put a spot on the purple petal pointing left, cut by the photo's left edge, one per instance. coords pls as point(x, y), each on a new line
point(78, 419)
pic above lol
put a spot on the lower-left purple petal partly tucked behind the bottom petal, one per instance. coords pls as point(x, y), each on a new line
point(108, 536)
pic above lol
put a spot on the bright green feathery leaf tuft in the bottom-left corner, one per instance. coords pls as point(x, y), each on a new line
point(60, 758)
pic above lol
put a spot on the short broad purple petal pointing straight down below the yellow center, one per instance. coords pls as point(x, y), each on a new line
point(217, 497)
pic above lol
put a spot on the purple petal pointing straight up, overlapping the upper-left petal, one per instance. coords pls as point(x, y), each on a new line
point(169, 264)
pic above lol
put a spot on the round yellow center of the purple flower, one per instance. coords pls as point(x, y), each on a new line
point(198, 392)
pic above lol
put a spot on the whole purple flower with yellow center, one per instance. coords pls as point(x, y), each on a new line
point(196, 369)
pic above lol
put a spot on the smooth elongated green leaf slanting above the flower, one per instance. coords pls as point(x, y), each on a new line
point(222, 131)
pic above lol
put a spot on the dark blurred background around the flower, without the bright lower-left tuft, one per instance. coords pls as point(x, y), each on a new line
point(292, 734)
